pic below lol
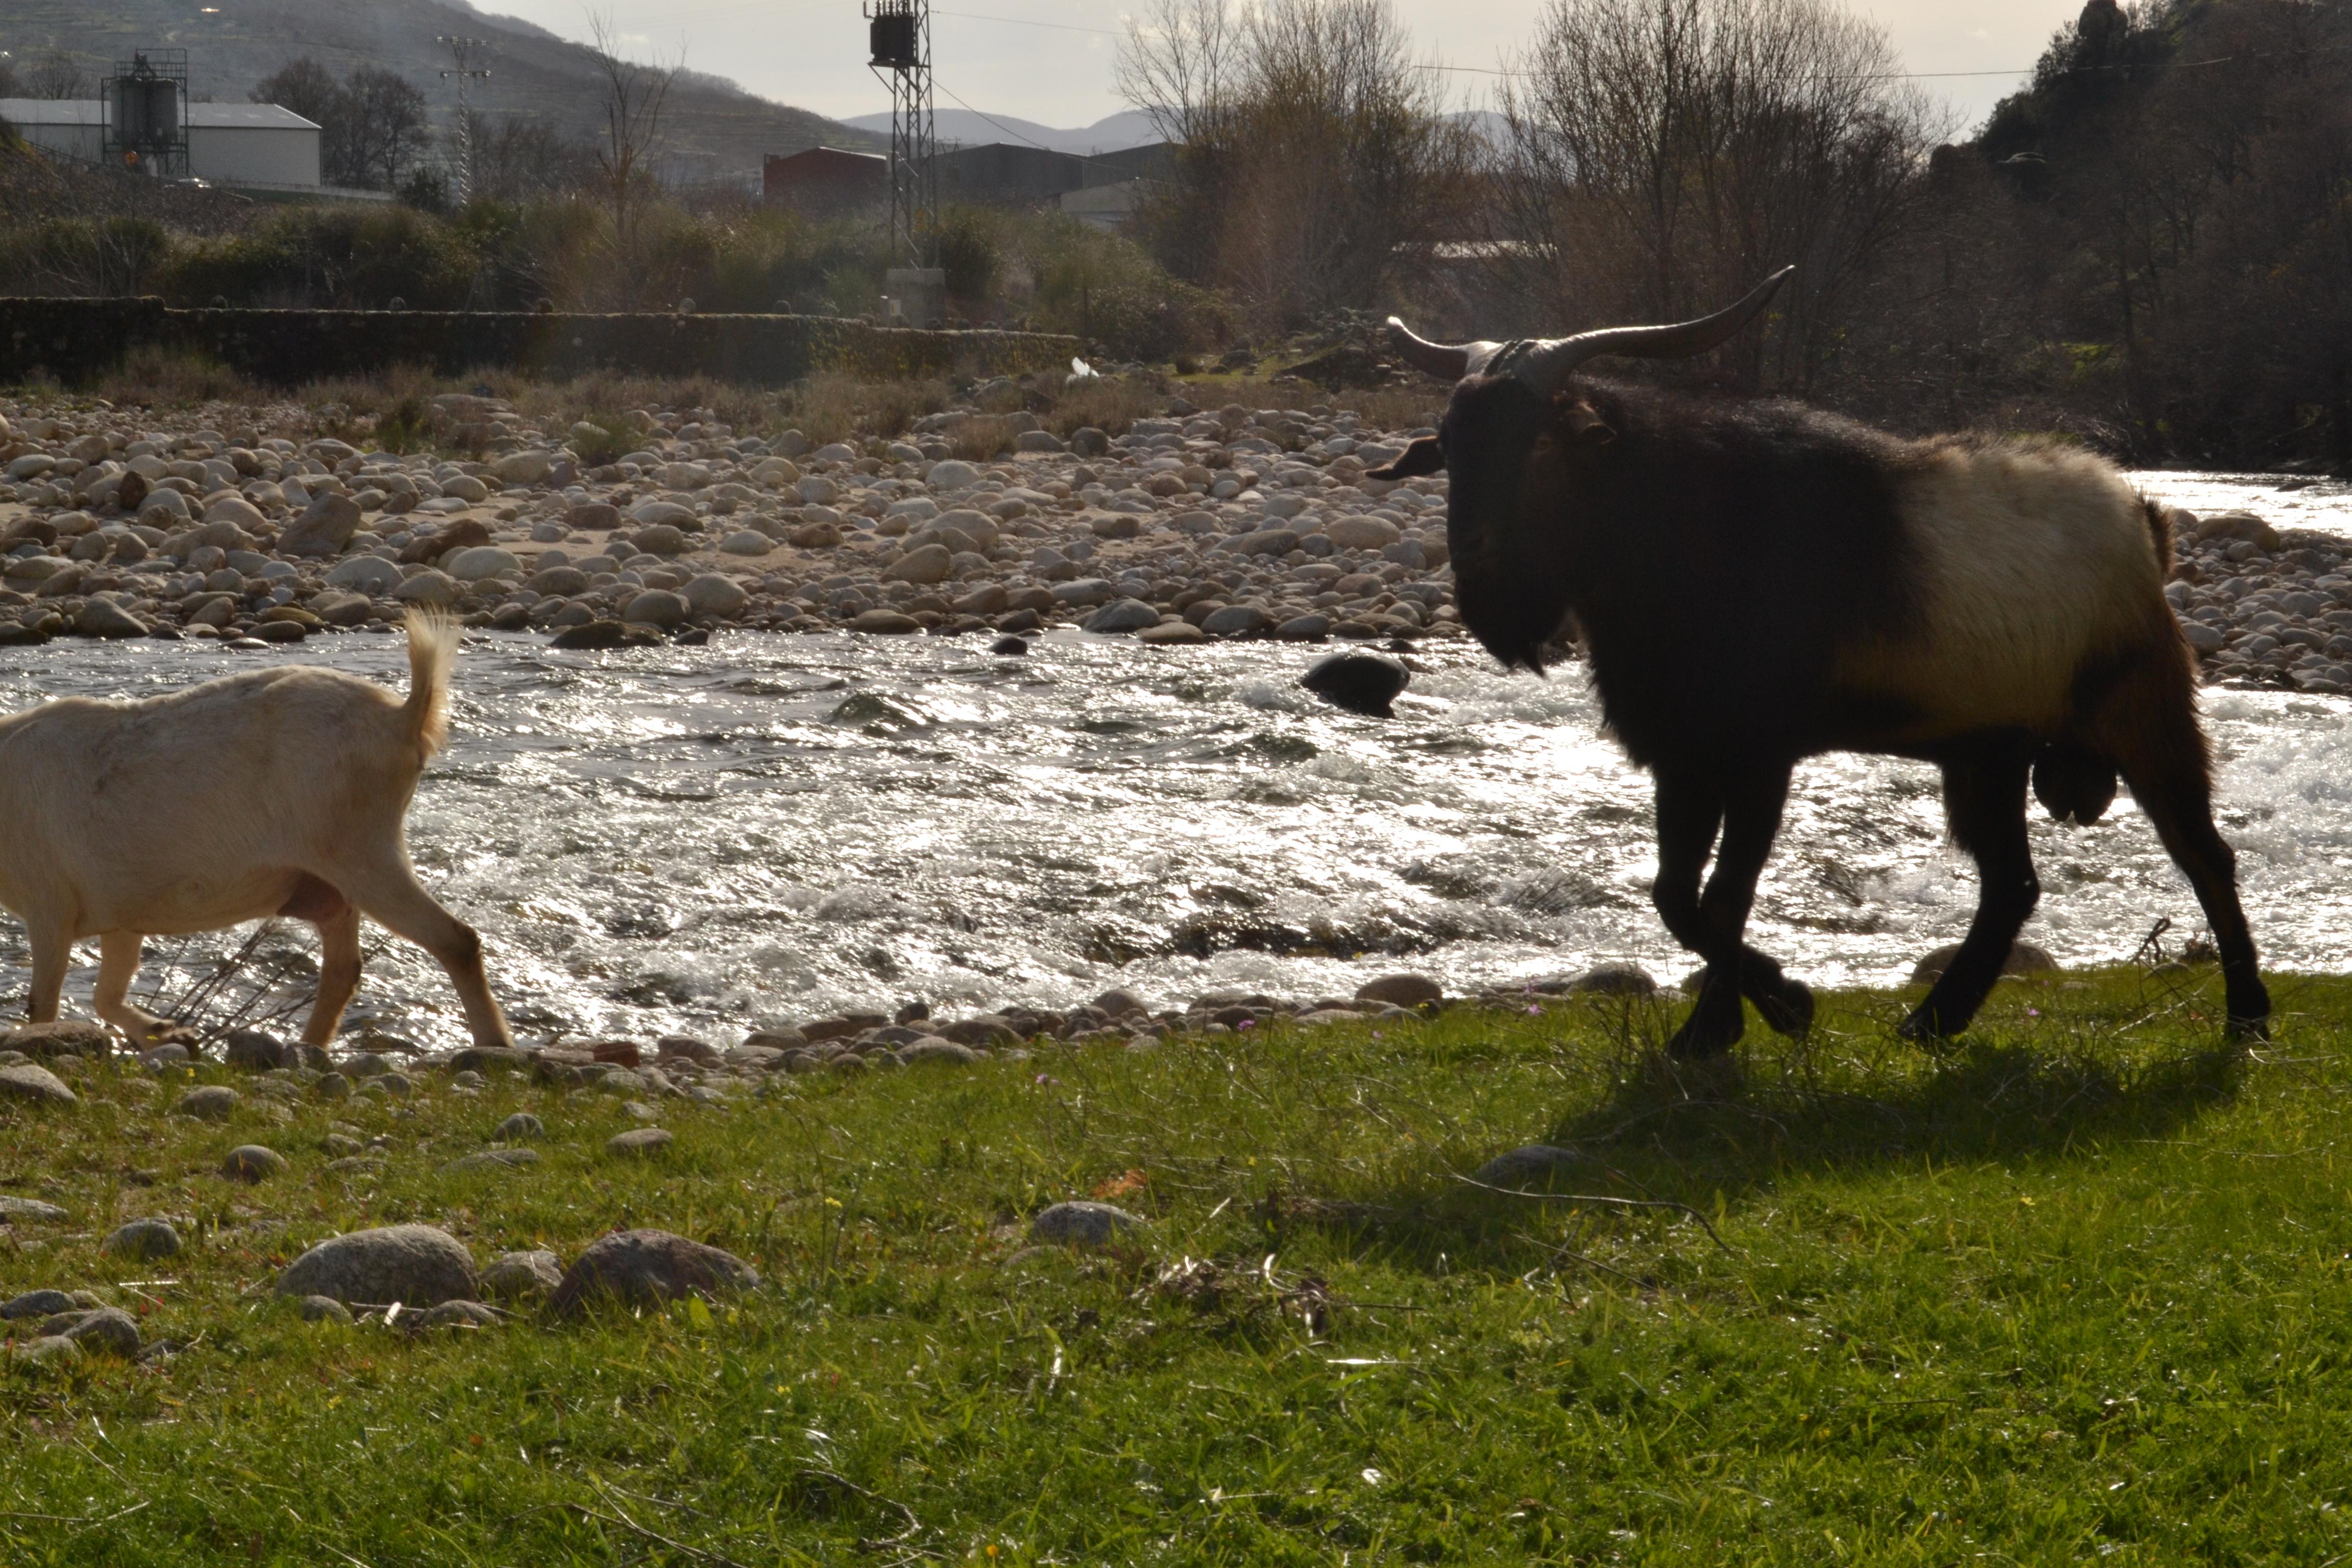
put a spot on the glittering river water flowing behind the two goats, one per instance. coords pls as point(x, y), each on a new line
point(690, 840)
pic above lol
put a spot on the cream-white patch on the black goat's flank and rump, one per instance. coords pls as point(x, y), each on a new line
point(2031, 563)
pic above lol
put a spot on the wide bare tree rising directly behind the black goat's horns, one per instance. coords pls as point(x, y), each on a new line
point(1666, 154)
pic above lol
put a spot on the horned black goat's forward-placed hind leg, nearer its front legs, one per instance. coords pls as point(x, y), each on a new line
point(1984, 796)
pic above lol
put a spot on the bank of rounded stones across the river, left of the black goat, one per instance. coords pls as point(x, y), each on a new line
point(1182, 530)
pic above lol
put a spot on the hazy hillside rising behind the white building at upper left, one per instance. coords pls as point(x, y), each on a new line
point(714, 126)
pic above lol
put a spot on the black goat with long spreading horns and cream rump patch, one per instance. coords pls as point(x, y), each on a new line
point(1760, 582)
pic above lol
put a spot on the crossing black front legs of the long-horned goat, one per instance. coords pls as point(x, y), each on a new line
point(1711, 925)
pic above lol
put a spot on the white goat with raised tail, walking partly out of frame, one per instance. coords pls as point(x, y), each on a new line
point(272, 793)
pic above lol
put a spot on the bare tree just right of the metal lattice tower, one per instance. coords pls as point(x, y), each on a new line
point(1316, 161)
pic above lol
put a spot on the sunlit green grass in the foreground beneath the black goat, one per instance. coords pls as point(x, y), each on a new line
point(2073, 1292)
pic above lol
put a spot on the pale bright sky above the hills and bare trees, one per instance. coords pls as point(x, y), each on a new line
point(1053, 60)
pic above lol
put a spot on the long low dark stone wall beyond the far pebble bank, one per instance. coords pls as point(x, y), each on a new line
point(86, 337)
